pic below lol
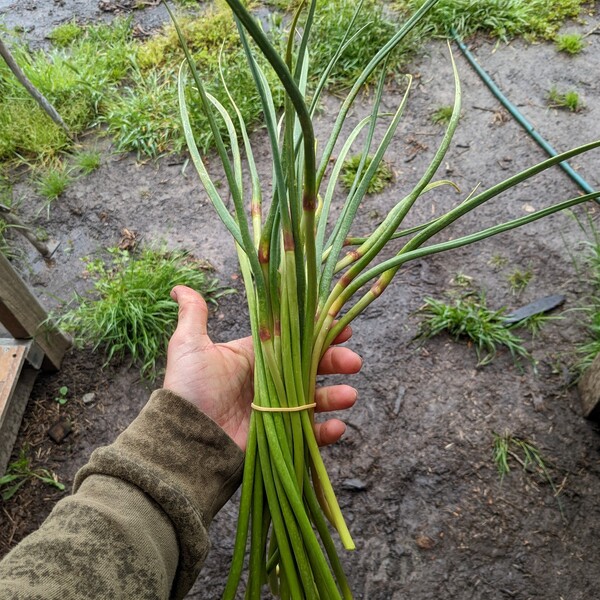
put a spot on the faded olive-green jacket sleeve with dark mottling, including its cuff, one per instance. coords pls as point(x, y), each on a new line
point(136, 526)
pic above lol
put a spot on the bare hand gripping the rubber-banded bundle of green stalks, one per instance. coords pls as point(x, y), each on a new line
point(218, 378)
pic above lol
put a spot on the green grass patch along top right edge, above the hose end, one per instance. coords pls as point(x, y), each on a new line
point(503, 19)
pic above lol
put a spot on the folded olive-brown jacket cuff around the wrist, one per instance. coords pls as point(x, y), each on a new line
point(183, 460)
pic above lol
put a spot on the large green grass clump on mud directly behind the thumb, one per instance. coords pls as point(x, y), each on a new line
point(129, 312)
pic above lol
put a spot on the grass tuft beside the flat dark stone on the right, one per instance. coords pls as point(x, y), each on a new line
point(470, 318)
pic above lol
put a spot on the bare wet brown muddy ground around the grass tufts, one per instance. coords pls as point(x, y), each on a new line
point(430, 516)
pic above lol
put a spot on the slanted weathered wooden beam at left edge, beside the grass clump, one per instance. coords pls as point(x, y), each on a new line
point(24, 317)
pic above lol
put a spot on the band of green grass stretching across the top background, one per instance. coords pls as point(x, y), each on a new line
point(100, 74)
